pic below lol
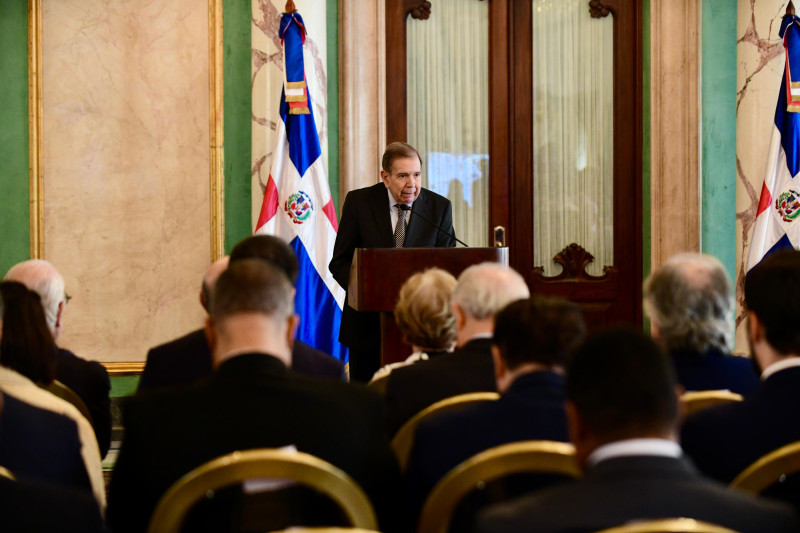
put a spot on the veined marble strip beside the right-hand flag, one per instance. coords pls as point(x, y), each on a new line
point(760, 59)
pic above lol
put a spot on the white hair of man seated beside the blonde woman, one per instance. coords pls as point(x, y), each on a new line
point(485, 289)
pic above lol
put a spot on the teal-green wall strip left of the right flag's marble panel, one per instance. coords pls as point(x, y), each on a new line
point(718, 103)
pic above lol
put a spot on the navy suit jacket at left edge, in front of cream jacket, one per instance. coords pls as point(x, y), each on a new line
point(40, 445)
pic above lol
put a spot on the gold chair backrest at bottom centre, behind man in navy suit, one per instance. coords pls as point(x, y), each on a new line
point(530, 457)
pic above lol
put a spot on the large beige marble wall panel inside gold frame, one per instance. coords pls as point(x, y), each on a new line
point(126, 168)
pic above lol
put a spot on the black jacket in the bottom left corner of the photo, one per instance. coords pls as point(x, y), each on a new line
point(32, 507)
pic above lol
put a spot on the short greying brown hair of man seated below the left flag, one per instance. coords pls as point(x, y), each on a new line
point(252, 286)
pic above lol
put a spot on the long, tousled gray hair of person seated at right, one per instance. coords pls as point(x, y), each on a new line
point(690, 298)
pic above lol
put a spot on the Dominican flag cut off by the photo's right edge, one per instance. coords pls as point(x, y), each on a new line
point(778, 218)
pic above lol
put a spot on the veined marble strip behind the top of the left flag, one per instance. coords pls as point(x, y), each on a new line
point(267, 82)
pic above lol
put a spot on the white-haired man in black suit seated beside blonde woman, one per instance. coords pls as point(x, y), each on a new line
point(482, 290)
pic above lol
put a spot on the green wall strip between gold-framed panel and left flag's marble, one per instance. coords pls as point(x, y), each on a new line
point(236, 20)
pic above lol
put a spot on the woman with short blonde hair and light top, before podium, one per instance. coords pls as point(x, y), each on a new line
point(424, 317)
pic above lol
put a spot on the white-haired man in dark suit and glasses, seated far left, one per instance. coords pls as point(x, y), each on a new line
point(89, 379)
